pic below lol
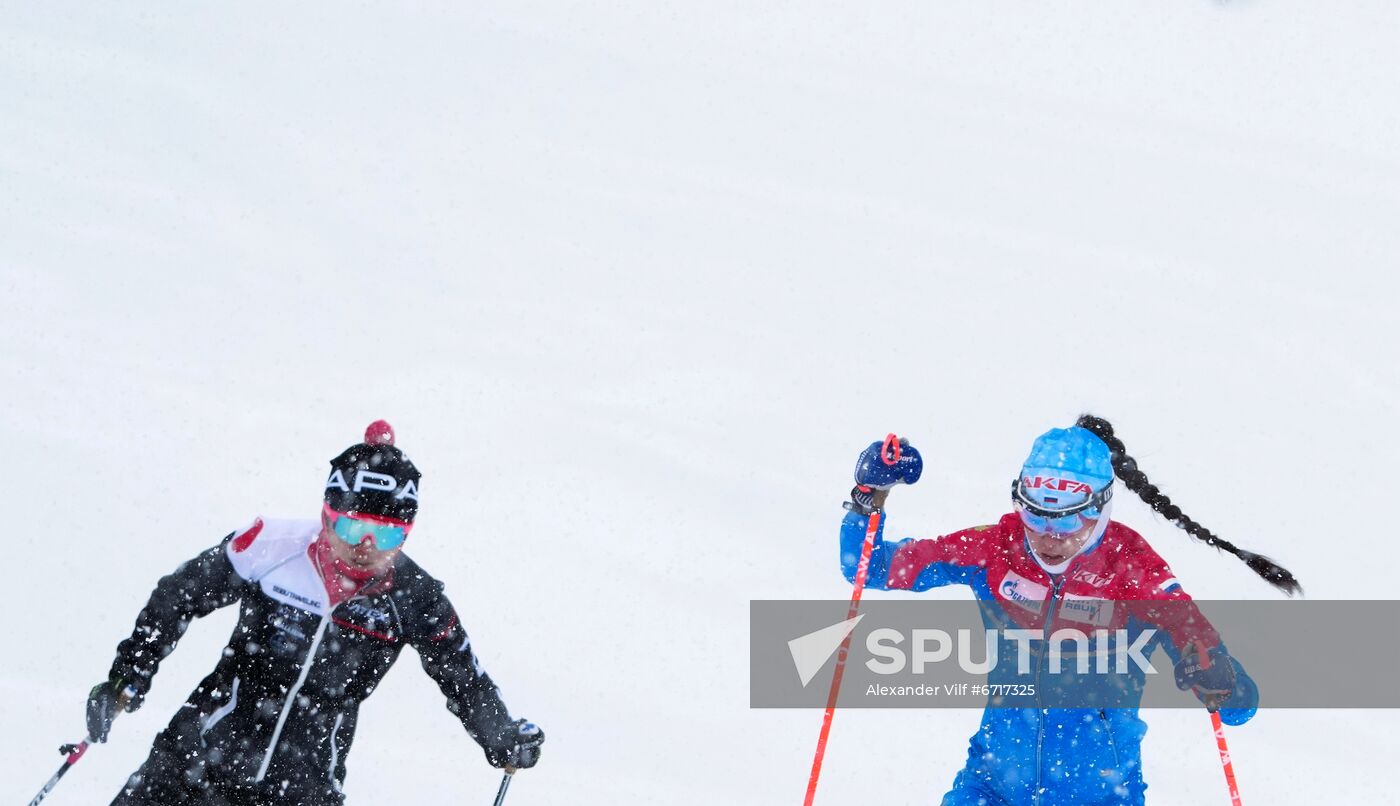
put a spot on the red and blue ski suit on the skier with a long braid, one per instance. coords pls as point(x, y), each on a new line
point(1055, 749)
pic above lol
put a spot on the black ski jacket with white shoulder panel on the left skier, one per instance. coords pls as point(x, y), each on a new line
point(278, 714)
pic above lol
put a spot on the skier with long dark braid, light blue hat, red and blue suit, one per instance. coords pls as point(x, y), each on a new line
point(1060, 563)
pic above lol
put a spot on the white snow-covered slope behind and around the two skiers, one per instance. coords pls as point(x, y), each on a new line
point(636, 283)
